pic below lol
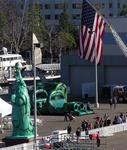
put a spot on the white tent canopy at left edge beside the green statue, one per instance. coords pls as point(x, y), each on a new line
point(5, 108)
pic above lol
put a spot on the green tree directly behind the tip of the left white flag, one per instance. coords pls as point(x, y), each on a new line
point(37, 25)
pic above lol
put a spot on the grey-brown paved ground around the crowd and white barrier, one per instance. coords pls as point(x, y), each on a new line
point(50, 123)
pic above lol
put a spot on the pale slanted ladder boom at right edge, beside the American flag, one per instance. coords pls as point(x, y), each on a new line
point(119, 41)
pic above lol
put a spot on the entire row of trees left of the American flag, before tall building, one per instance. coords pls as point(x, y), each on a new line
point(16, 28)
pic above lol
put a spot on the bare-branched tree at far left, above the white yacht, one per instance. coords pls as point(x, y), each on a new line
point(13, 24)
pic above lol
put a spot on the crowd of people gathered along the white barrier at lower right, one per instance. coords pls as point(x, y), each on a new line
point(99, 122)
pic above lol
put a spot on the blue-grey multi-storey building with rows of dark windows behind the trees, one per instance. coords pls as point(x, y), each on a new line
point(51, 9)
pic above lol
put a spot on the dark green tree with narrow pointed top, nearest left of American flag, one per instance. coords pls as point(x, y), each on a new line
point(66, 38)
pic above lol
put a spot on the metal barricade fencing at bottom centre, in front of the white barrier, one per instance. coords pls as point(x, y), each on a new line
point(71, 142)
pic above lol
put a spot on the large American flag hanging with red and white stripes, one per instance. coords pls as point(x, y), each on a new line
point(91, 33)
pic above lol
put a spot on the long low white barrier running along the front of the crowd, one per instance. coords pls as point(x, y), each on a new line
point(103, 132)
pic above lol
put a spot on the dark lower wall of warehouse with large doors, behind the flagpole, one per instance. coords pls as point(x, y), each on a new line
point(75, 72)
